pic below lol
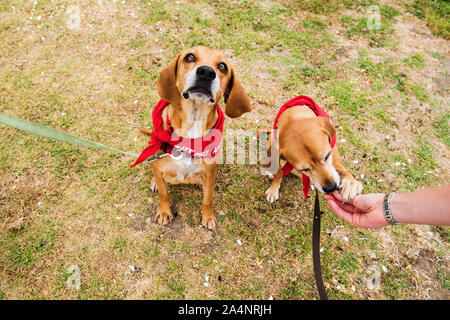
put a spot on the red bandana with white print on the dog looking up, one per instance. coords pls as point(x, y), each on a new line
point(168, 141)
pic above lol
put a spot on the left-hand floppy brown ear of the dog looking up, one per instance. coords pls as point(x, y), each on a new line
point(166, 83)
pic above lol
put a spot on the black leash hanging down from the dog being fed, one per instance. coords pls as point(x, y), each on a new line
point(316, 249)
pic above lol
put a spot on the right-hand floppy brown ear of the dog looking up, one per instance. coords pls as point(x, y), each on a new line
point(236, 100)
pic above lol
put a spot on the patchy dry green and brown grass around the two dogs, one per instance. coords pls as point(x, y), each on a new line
point(65, 206)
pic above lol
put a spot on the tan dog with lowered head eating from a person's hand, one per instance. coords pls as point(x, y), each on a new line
point(304, 141)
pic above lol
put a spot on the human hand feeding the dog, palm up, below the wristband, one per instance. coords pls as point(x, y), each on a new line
point(364, 211)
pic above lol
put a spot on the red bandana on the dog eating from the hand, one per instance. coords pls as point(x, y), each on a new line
point(302, 101)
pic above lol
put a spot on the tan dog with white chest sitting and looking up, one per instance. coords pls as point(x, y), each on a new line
point(193, 84)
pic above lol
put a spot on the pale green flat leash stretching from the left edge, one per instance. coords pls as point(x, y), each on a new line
point(43, 131)
